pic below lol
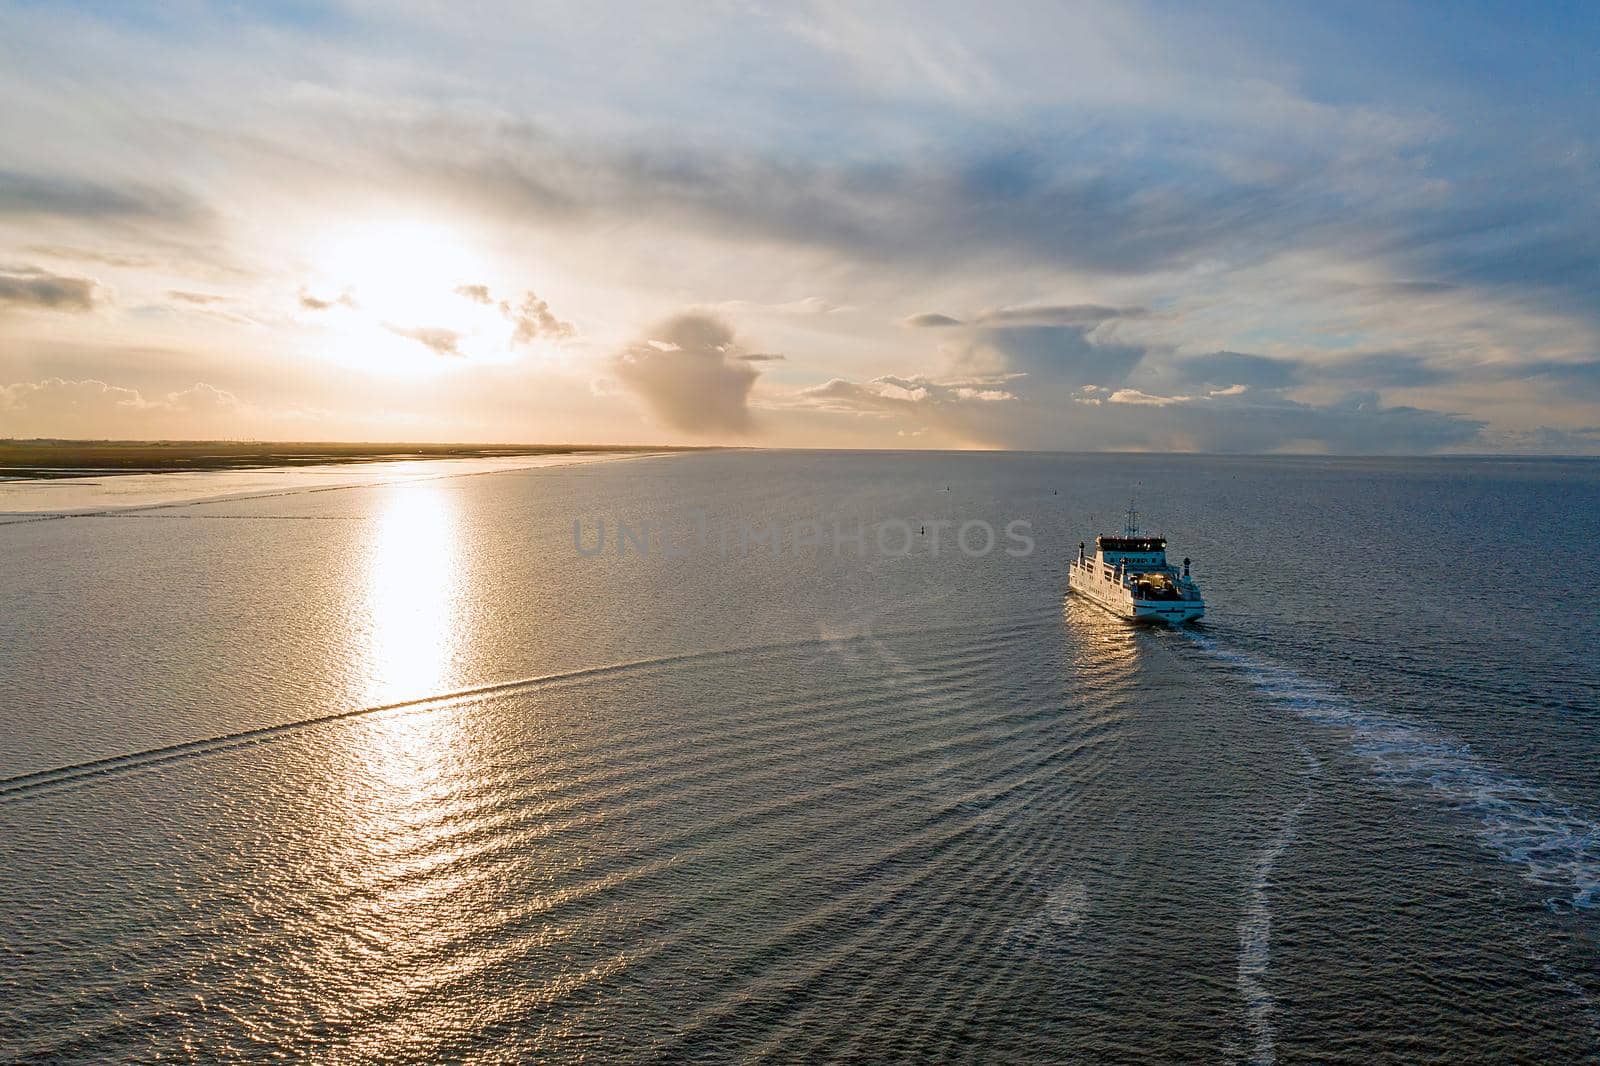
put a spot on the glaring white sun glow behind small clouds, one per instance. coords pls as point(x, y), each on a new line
point(404, 299)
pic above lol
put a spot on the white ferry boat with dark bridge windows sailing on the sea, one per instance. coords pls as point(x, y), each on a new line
point(1130, 577)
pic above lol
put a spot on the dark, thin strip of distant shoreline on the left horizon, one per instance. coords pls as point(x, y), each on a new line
point(49, 460)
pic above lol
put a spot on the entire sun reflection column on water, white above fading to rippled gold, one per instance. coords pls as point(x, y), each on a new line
point(394, 785)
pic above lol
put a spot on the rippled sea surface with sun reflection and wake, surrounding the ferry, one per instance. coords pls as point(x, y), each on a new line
point(396, 774)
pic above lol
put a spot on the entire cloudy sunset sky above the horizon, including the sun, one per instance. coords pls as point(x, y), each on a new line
point(1257, 228)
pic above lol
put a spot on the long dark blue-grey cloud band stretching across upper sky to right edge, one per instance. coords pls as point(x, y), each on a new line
point(1167, 220)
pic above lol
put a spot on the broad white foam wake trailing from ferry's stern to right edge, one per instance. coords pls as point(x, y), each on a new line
point(1556, 846)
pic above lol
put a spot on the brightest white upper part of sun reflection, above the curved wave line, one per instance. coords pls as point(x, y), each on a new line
point(414, 595)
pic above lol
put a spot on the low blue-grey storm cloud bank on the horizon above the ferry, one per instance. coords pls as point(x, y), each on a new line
point(1066, 388)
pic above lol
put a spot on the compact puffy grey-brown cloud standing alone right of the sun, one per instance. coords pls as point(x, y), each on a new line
point(692, 375)
